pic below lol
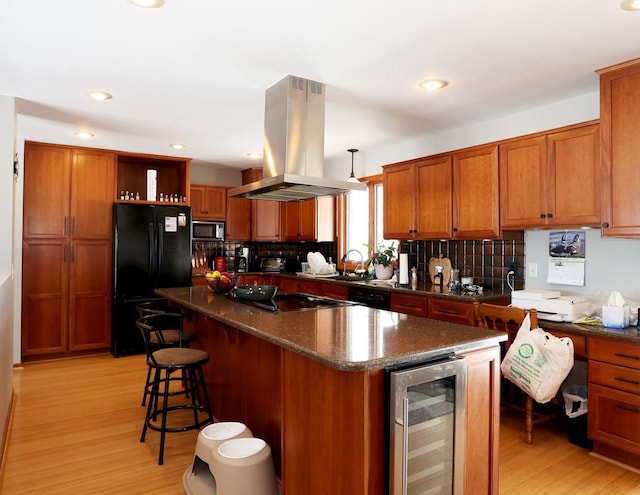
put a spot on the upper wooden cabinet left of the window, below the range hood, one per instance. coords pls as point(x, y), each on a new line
point(309, 220)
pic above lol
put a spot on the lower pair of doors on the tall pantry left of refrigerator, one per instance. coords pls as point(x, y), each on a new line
point(66, 300)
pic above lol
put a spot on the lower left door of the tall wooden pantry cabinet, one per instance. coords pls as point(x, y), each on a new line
point(45, 278)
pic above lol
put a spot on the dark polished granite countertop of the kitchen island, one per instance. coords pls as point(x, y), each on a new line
point(350, 338)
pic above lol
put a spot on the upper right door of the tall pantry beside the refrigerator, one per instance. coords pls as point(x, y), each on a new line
point(92, 192)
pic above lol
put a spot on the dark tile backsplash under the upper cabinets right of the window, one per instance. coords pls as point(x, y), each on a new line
point(488, 261)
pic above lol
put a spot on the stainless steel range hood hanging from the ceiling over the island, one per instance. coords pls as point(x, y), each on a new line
point(293, 167)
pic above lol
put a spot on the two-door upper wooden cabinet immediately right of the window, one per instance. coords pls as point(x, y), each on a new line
point(418, 199)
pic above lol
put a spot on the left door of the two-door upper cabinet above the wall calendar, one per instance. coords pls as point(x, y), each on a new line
point(523, 183)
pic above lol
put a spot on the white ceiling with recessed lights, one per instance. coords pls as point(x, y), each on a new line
point(195, 71)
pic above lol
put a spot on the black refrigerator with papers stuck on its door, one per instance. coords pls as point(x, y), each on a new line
point(152, 248)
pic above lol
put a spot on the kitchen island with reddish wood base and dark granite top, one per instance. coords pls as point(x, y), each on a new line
point(311, 383)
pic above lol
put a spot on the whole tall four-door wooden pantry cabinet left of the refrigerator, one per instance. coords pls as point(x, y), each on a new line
point(67, 249)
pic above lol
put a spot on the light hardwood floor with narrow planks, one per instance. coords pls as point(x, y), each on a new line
point(76, 427)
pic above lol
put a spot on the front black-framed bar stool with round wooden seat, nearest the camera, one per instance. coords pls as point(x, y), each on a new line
point(188, 398)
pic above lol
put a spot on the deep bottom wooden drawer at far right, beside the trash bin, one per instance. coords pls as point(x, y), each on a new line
point(614, 417)
